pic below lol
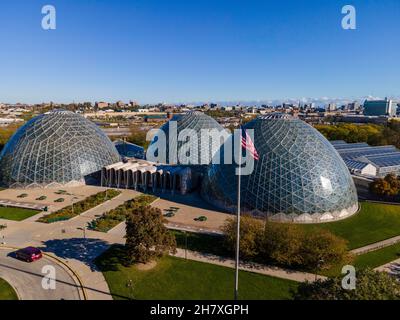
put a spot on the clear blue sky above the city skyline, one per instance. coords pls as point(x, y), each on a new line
point(204, 50)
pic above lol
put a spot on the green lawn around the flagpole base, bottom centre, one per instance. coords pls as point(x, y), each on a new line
point(179, 279)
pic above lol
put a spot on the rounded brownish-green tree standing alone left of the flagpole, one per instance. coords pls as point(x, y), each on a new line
point(146, 235)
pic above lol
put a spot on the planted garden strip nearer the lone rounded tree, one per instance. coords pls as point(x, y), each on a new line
point(114, 217)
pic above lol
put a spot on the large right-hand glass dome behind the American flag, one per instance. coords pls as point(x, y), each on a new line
point(299, 177)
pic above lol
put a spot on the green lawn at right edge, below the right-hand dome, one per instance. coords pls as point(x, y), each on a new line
point(375, 222)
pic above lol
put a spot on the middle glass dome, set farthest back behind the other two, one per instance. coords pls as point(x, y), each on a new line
point(196, 121)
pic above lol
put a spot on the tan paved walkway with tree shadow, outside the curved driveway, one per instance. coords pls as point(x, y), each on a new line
point(67, 241)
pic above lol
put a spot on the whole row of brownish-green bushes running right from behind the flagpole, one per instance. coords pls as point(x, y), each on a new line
point(286, 244)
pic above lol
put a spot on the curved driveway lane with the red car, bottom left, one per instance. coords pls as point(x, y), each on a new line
point(26, 278)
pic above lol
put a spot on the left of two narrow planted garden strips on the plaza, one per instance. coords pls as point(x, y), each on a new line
point(80, 207)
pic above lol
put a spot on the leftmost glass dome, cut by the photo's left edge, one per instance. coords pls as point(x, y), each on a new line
point(58, 147)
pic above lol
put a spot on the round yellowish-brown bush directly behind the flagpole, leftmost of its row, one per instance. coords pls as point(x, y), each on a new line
point(250, 236)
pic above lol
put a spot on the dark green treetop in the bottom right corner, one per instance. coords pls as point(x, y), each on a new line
point(370, 285)
